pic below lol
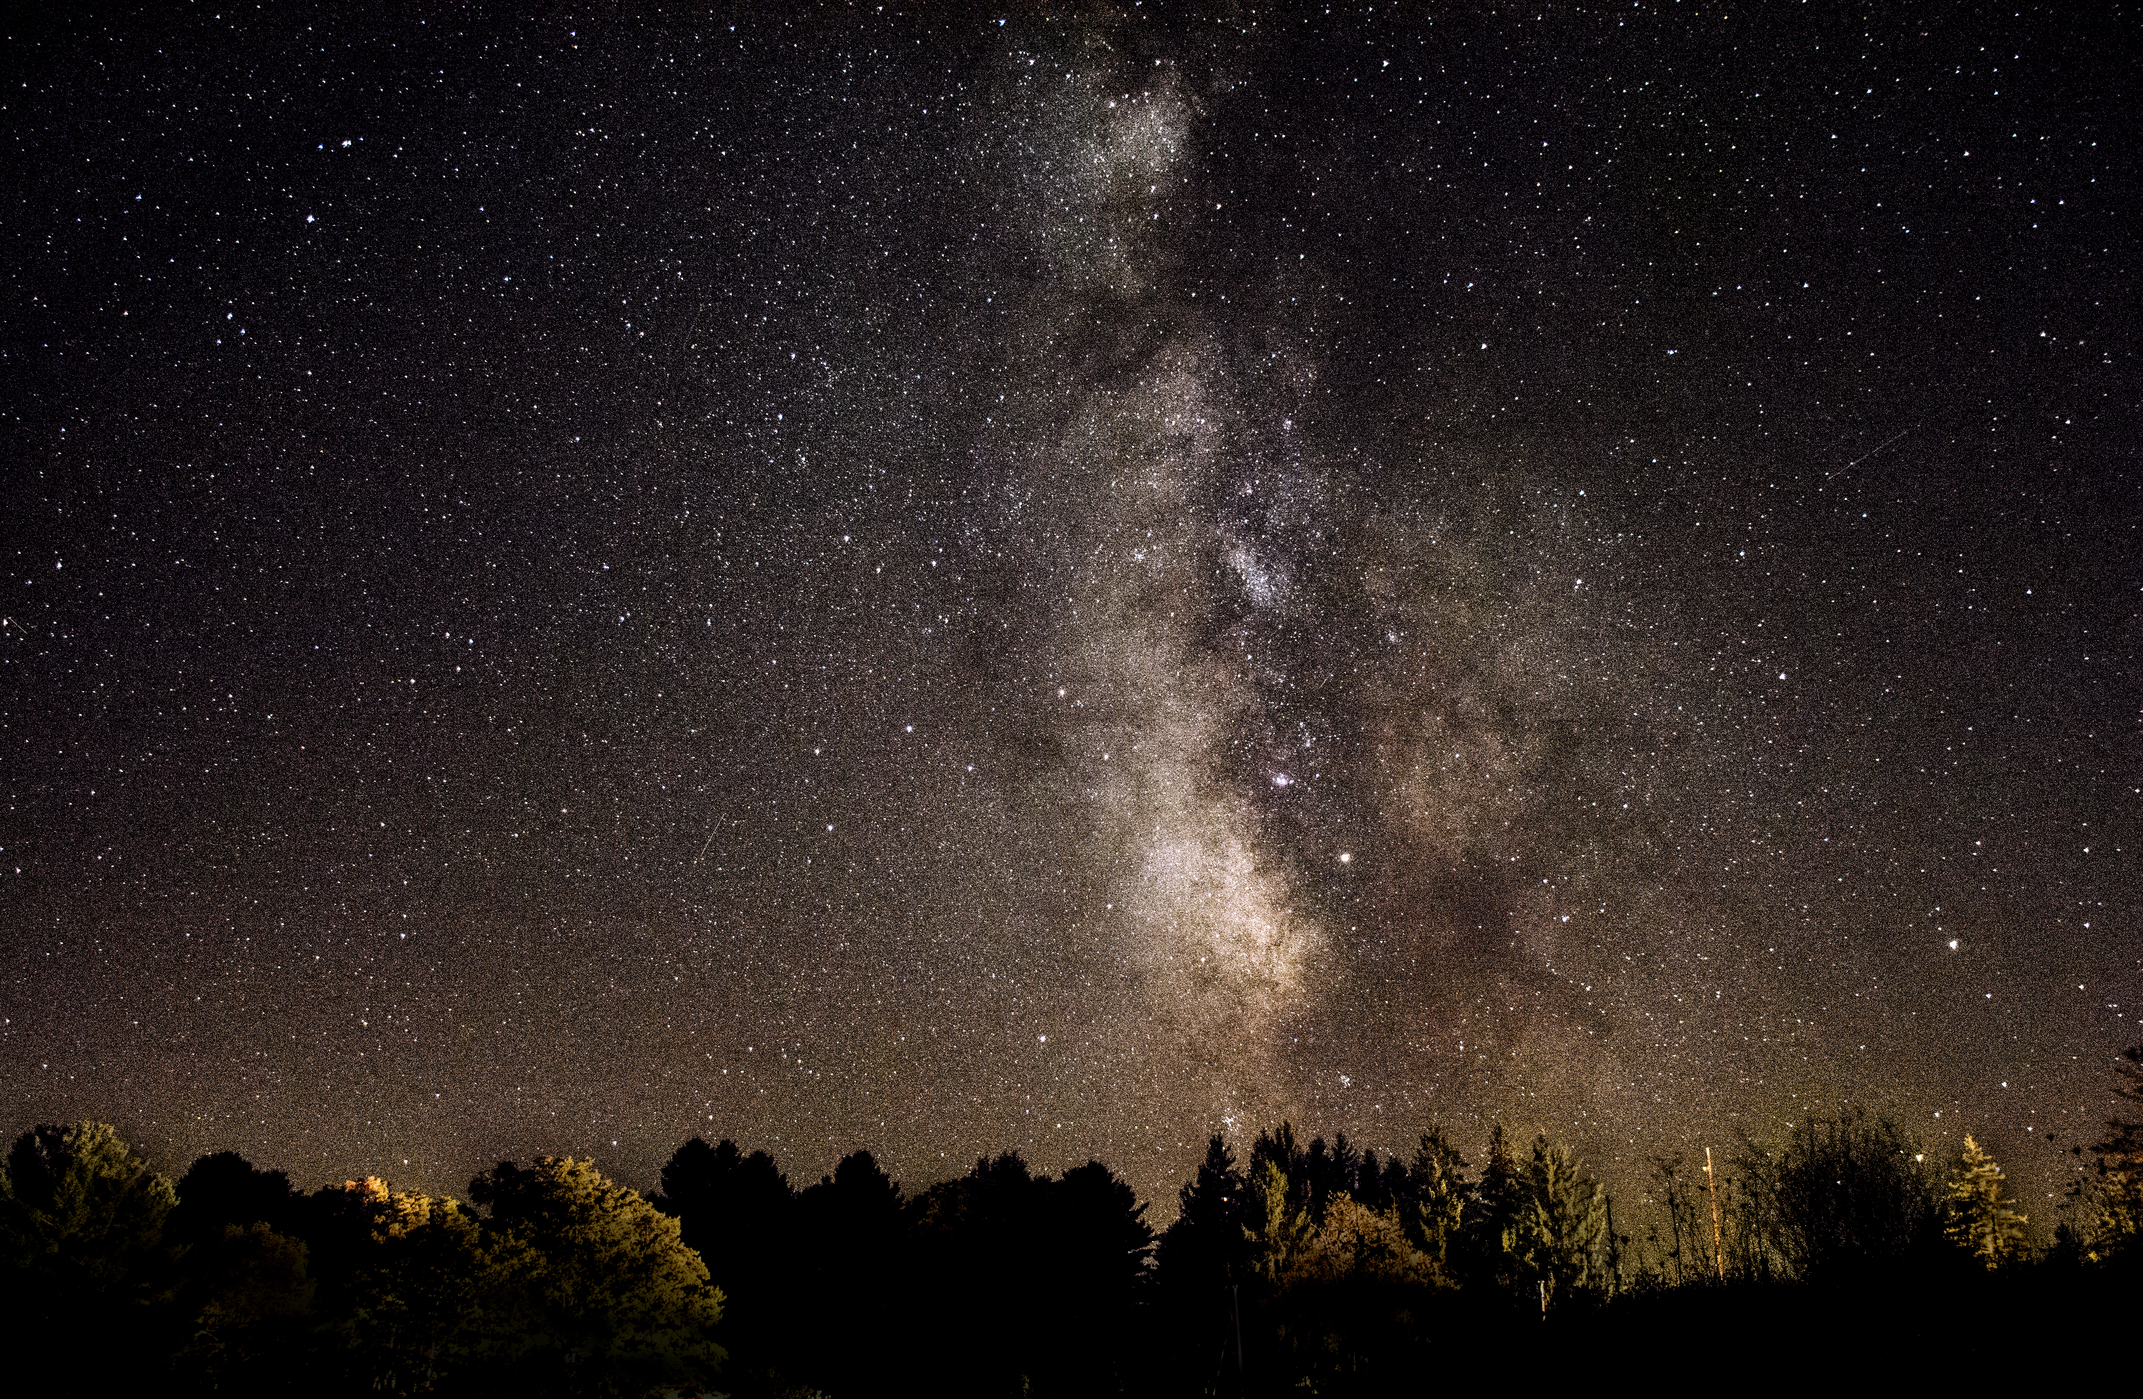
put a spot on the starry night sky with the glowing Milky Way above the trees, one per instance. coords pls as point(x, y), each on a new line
point(938, 584)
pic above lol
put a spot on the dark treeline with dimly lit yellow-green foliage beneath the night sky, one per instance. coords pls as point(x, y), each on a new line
point(1293, 1269)
